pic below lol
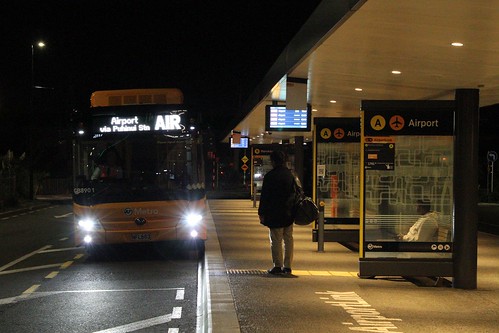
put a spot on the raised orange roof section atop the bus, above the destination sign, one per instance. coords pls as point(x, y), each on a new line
point(136, 97)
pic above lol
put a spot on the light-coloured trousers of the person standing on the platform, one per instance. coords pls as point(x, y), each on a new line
point(277, 236)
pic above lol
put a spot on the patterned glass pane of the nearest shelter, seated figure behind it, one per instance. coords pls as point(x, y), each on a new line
point(409, 199)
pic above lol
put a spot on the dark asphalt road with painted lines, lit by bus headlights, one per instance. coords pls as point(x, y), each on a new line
point(49, 285)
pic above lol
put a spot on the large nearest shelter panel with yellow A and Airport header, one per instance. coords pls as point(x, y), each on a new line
point(407, 205)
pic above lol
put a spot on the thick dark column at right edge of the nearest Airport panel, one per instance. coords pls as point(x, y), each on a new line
point(466, 189)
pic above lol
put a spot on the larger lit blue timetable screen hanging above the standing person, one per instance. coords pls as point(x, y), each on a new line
point(278, 118)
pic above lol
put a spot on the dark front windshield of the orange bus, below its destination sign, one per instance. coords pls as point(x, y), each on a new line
point(140, 168)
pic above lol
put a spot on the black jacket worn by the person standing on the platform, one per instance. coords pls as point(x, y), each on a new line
point(277, 198)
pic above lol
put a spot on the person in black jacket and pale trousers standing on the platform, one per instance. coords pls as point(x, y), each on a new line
point(275, 212)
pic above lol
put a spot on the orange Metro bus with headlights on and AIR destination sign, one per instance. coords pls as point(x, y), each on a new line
point(138, 170)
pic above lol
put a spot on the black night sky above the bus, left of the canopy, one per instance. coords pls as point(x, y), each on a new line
point(215, 51)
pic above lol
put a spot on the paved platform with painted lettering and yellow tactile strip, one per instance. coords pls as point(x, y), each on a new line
point(324, 293)
